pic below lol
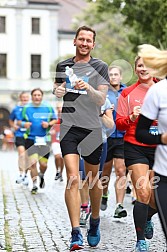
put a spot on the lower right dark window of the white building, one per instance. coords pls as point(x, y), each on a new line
point(35, 66)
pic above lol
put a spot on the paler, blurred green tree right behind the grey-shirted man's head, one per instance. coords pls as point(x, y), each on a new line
point(112, 42)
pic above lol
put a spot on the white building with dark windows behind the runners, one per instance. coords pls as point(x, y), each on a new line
point(33, 34)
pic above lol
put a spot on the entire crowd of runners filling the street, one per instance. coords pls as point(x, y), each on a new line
point(99, 124)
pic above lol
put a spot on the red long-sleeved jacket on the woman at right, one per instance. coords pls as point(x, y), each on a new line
point(130, 97)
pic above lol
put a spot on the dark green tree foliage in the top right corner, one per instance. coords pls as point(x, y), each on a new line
point(147, 18)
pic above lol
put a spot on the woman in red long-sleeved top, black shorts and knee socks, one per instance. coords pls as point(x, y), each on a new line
point(139, 157)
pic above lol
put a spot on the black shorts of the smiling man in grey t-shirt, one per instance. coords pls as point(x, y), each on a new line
point(87, 143)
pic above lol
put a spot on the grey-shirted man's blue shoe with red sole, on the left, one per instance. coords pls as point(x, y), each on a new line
point(76, 241)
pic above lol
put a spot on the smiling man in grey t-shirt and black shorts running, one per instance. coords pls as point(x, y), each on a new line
point(83, 83)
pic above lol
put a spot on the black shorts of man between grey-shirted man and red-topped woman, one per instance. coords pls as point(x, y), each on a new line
point(115, 148)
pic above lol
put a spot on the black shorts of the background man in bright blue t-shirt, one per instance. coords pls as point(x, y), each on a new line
point(41, 150)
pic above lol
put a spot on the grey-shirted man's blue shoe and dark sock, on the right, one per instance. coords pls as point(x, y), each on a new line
point(93, 236)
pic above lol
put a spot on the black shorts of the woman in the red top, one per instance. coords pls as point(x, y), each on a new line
point(136, 154)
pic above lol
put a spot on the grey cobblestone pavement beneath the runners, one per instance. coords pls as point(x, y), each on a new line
point(39, 223)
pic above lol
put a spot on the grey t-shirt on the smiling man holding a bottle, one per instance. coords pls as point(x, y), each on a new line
point(78, 108)
